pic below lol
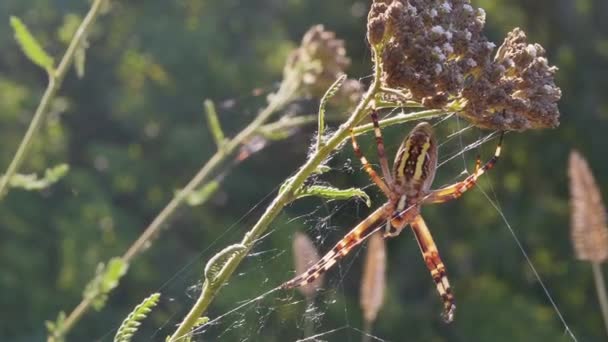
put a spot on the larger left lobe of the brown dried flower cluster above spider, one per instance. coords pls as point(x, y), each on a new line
point(428, 46)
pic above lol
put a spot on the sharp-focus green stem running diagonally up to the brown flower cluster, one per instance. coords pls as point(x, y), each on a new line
point(282, 199)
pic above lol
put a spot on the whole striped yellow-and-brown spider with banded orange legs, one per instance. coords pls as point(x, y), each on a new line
point(407, 188)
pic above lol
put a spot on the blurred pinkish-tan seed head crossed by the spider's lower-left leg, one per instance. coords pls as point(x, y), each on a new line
point(305, 255)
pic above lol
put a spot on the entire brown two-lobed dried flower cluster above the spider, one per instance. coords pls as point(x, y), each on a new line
point(436, 53)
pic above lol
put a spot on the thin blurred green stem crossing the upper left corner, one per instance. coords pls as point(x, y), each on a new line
point(54, 84)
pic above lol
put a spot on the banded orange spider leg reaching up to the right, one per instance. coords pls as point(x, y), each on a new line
point(456, 190)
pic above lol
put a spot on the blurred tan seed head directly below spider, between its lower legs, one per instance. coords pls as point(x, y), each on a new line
point(373, 283)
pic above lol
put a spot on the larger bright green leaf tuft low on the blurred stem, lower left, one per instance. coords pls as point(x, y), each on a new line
point(106, 279)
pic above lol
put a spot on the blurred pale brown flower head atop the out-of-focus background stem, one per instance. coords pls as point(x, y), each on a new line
point(320, 59)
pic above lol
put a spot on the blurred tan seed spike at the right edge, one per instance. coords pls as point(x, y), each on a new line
point(589, 230)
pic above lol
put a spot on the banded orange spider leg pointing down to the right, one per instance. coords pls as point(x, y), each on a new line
point(435, 266)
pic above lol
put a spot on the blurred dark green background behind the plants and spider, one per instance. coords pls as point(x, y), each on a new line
point(133, 132)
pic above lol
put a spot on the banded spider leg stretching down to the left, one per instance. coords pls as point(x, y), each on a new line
point(357, 235)
